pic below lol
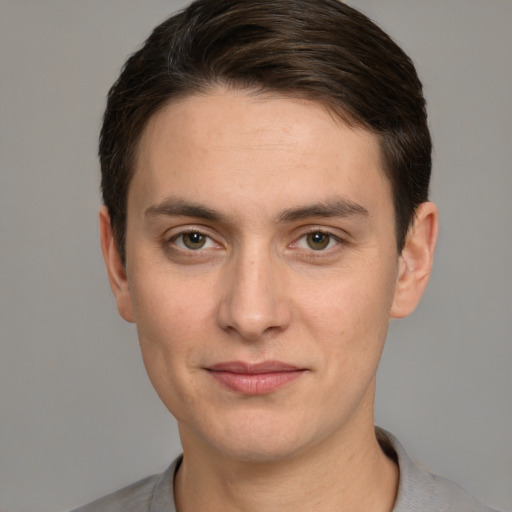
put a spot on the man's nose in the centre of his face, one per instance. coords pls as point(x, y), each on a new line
point(254, 305)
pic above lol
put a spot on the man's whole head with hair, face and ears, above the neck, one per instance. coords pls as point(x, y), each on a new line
point(265, 171)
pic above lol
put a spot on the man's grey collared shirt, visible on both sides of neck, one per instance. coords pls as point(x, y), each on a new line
point(418, 489)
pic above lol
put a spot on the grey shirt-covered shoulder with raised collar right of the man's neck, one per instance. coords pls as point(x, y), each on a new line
point(421, 491)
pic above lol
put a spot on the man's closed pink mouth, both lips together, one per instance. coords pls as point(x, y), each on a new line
point(254, 379)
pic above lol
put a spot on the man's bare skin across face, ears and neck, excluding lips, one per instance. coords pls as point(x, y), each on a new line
point(299, 265)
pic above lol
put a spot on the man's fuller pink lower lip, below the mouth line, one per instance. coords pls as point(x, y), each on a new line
point(255, 384)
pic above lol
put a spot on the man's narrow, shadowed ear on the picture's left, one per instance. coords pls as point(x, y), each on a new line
point(115, 269)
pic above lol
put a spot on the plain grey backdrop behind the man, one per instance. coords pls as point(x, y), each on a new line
point(78, 415)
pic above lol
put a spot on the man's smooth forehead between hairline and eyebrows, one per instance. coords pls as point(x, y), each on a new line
point(236, 146)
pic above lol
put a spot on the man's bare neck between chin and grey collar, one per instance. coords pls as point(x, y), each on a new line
point(350, 474)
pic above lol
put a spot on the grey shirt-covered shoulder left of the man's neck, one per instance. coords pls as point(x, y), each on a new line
point(147, 495)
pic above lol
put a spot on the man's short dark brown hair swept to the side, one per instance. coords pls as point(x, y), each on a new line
point(321, 50)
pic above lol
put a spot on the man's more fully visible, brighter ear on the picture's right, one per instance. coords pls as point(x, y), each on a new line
point(415, 262)
